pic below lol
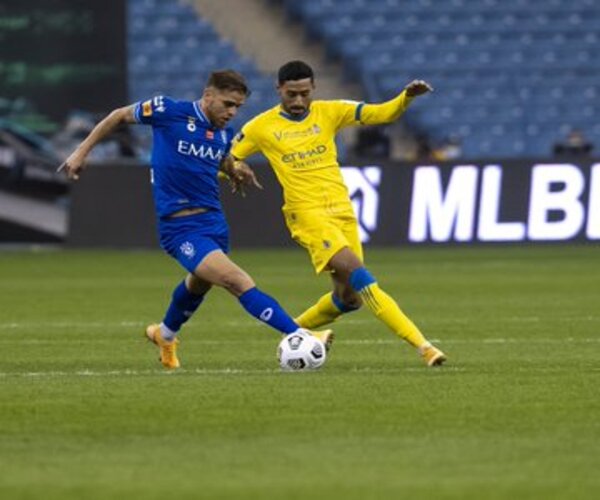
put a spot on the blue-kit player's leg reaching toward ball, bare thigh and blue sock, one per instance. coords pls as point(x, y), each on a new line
point(217, 268)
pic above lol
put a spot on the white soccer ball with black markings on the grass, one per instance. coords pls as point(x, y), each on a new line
point(301, 351)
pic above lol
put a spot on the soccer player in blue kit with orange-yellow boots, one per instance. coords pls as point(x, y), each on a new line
point(191, 146)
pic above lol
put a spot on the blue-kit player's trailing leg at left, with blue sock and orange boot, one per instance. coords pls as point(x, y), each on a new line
point(185, 300)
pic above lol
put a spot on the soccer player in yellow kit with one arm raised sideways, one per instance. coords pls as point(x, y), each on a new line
point(297, 137)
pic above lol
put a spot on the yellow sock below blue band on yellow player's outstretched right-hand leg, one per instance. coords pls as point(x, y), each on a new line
point(387, 310)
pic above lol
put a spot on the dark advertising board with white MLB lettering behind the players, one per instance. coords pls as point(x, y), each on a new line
point(397, 204)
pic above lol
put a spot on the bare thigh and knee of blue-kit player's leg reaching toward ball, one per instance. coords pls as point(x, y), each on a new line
point(218, 269)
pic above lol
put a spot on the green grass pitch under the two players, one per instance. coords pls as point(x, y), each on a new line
point(86, 412)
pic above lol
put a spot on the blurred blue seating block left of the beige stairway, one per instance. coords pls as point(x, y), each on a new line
point(171, 51)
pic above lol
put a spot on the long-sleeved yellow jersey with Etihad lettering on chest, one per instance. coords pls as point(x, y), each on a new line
point(302, 150)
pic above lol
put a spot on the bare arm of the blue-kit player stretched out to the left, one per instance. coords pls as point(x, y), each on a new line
point(75, 163)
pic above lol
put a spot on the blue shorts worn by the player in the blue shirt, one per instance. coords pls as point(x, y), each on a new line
point(189, 239)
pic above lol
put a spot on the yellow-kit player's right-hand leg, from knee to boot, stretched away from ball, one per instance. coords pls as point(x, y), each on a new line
point(351, 271)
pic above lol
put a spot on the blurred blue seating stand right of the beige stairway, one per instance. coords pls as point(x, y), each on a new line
point(511, 76)
